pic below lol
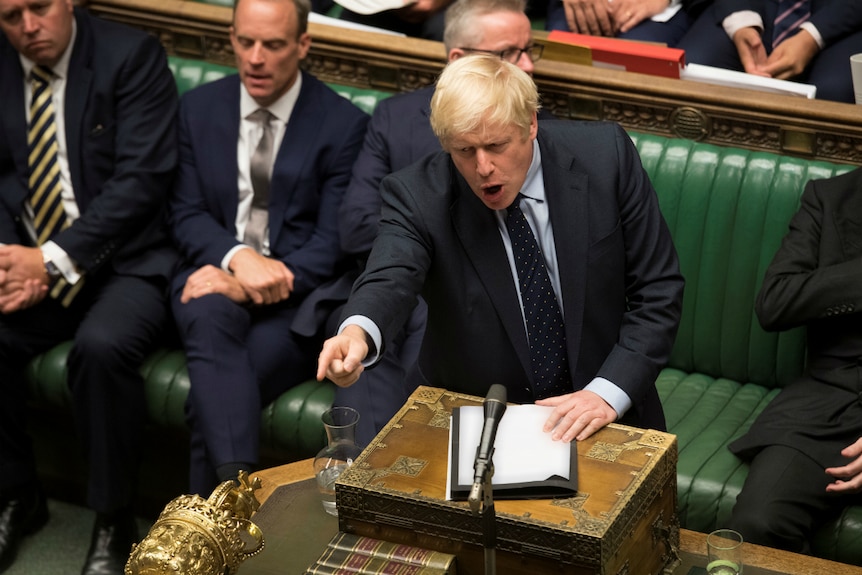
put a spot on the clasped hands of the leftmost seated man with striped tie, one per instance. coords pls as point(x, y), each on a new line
point(23, 280)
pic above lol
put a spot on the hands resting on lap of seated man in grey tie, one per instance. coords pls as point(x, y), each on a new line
point(253, 278)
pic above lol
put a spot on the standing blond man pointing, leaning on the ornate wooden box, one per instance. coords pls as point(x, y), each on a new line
point(540, 250)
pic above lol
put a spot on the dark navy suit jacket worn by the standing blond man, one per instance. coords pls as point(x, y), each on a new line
point(622, 290)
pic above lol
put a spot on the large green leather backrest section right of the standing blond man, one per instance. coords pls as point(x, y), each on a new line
point(728, 210)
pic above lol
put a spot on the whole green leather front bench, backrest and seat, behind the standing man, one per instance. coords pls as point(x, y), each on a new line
point(727, 209)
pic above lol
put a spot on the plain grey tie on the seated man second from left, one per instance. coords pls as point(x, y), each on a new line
point(261, 165)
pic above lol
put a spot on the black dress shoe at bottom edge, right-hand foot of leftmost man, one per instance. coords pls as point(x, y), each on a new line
point(113, 537)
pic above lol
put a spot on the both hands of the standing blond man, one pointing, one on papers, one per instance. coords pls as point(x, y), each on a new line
point(575, 416)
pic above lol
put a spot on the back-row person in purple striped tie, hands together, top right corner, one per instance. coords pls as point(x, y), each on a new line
point(809, 41)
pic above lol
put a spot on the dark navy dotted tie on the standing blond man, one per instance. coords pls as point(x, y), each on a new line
point(545, 329)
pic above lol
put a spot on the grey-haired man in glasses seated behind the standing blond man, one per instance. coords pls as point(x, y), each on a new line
point(399, 134)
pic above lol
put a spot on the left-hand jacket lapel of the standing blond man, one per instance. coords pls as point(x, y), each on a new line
point(477, 229)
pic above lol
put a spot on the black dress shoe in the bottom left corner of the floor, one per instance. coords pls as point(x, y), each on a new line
point(20, 515)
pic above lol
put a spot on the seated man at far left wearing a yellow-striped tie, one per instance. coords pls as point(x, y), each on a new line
point(88, 152)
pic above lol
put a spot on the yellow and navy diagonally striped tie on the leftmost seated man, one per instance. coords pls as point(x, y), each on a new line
point(49, 216)
